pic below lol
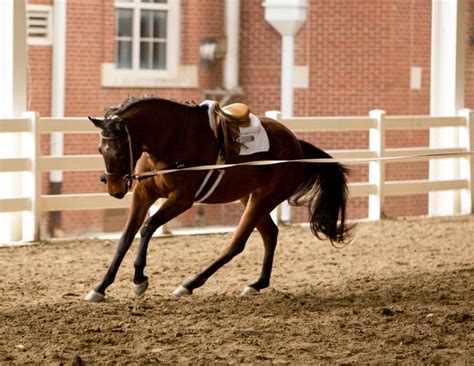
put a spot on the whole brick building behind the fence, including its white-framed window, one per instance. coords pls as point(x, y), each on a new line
point(352, 56)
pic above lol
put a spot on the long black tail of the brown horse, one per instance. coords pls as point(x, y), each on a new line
point(325, 192)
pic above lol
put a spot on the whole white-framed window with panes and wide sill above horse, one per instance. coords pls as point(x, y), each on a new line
point(147, 45)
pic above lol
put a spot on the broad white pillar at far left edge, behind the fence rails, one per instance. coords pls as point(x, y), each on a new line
point(13, 102)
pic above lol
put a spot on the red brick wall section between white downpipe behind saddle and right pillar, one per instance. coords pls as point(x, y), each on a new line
point(359, 56)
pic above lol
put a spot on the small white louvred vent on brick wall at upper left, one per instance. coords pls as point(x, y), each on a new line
point(39, 25)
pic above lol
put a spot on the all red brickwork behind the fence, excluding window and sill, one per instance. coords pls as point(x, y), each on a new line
point(358, 54)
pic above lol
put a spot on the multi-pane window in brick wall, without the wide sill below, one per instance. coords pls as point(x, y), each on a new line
point(145, 34)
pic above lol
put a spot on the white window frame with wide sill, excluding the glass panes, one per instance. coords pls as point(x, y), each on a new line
point(175, 75)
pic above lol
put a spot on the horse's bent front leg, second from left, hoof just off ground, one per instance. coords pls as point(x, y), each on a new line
point(172, 207)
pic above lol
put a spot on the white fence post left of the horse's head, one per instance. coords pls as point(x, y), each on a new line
point(32, 180)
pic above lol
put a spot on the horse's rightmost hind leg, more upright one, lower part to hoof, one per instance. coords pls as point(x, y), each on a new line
point(269, 233)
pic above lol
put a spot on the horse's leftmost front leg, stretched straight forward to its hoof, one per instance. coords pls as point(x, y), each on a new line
point(141, 202)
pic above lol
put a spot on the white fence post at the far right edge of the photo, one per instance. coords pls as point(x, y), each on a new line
point(467, 163)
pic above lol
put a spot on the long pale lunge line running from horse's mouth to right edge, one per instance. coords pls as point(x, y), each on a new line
point(312, 161)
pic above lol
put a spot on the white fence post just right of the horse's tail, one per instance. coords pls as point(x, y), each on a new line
point(377, 168)
